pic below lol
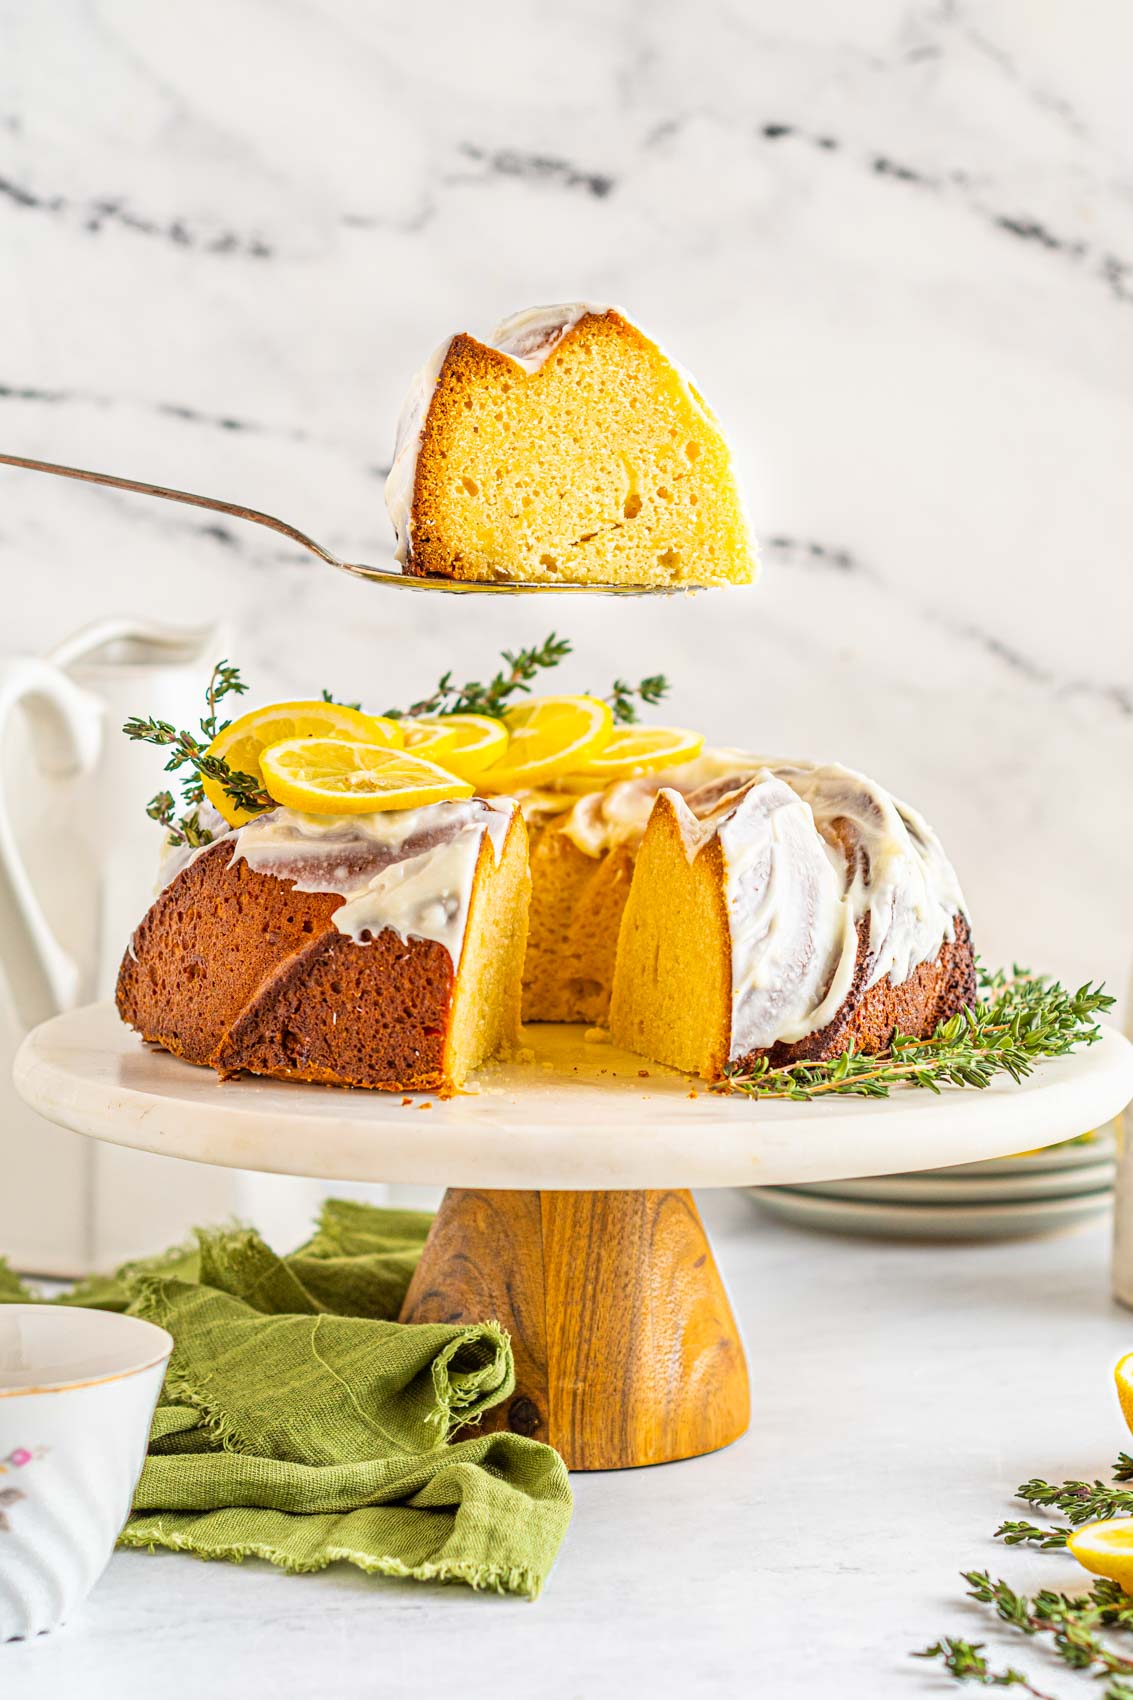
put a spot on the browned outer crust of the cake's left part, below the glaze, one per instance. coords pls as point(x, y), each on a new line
point(241, 972)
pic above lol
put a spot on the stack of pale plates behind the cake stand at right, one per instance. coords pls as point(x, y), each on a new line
point(1037, 1193)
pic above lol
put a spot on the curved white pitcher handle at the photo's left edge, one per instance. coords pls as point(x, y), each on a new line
point(42, 973)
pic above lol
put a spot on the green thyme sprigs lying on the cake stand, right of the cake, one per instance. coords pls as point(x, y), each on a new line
point(1018, 1021)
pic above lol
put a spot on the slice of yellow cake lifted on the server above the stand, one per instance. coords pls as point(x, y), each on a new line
point(566, 450)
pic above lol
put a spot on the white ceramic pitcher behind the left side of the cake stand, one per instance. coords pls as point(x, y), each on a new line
point(77, 870)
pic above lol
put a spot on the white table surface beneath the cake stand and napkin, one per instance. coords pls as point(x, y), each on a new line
point(901, 1393)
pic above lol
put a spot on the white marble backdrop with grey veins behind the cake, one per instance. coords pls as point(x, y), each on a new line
point(894, 242)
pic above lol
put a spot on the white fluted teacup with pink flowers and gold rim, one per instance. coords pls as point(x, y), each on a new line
point(77, 1397)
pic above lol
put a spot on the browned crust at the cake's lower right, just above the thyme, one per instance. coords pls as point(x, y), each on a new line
point(868, 1019)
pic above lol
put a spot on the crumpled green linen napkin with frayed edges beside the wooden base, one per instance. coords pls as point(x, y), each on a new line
point(304, 1425)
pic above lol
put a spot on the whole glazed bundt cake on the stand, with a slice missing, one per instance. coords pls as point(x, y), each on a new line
point(714, 914)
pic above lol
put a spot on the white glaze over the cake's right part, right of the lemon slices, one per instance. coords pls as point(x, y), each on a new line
point(811, 849)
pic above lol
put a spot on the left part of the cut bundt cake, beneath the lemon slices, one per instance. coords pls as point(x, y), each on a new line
point(358, 951)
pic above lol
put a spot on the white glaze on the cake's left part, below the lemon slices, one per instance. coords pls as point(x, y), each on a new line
point(404, 870)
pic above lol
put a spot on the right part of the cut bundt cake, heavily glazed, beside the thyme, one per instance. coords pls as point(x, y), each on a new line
point(787, 915)
